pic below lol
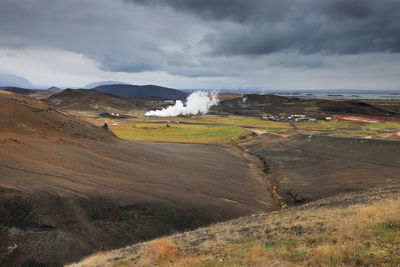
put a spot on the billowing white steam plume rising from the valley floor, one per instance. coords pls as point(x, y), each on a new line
point(198, 102)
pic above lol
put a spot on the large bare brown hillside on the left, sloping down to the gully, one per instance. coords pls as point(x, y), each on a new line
point(65, 195)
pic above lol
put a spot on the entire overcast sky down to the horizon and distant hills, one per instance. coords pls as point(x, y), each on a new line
point(285, 44)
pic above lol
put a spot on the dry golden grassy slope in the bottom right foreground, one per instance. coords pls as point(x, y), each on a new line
point(353, 230)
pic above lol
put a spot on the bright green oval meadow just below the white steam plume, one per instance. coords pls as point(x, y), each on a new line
point(177, 132)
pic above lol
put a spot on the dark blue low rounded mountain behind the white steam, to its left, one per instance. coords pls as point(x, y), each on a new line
point(141, 91)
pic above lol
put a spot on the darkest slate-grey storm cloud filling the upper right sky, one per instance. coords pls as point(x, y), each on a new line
point(306, 26)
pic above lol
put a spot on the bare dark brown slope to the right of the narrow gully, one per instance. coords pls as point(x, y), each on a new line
point(306, 168)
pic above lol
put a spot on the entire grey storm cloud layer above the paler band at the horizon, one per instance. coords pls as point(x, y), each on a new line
point(203, 37)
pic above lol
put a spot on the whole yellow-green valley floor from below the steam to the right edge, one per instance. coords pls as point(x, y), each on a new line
point(211, 129)
